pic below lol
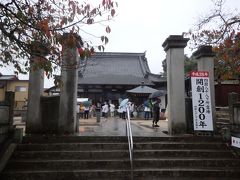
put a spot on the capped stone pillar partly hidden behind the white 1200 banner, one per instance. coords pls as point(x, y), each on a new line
point(205, 62)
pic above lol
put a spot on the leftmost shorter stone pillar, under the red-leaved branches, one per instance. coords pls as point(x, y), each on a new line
point(35, 91)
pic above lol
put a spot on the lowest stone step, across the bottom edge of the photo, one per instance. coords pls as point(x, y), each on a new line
point(139, 174)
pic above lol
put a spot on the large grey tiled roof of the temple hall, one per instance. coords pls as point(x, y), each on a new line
point(118, 69)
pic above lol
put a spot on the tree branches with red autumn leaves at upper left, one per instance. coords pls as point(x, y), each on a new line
point(46, 21)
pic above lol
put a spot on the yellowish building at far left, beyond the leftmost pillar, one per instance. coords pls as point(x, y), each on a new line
point(20, 87)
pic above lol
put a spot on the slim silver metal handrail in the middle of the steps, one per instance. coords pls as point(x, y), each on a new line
point(130, 139)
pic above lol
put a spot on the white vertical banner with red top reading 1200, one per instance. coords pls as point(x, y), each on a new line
point(201, 101)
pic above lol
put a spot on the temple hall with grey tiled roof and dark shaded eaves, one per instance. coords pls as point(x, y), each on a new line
point(109, 75)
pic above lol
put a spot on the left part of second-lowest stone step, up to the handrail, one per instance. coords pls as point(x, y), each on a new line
point(38, 165)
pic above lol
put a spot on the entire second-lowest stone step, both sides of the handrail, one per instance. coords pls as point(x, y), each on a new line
point(121, 163)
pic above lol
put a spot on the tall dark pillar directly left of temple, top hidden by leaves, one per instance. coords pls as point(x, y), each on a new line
point(68, 95)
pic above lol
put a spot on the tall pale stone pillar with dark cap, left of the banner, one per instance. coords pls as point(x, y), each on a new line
point(174, 46)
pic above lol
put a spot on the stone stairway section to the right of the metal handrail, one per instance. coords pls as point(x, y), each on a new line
point(185, 157)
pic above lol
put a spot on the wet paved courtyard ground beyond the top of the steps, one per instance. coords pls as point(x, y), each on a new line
point(113, 126)
